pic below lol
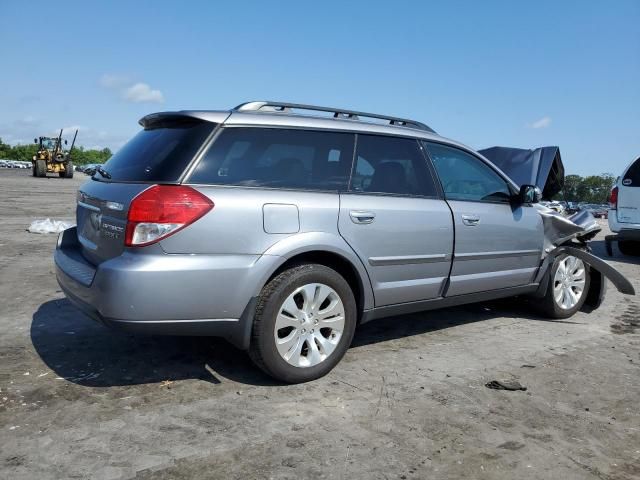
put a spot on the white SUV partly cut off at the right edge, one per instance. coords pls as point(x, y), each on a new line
point(624, 211)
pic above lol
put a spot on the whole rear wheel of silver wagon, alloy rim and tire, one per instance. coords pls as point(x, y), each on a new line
point(304, 323)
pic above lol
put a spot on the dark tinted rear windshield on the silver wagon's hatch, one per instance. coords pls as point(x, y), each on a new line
point(158, 154)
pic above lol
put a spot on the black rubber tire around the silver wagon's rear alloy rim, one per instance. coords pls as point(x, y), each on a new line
point(263, 349)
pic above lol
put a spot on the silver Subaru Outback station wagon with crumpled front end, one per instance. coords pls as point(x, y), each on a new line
point(282, 227)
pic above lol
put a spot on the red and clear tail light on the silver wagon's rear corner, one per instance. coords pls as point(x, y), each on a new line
point(163, 210)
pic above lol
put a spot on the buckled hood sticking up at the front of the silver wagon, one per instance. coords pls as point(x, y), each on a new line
point(541, 167)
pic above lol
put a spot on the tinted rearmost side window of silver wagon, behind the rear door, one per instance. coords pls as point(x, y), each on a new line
point(278, 158)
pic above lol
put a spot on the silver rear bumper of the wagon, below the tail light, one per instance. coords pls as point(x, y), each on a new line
point(164, 294)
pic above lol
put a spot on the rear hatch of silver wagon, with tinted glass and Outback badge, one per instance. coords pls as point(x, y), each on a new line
point(159, 154)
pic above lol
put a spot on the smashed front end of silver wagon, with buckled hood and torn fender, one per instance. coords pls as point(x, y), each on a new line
point(568, 235)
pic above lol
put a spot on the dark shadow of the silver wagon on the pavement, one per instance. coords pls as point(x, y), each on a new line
point(89, 354)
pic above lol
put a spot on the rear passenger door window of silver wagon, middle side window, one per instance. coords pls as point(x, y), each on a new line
point(391, 165)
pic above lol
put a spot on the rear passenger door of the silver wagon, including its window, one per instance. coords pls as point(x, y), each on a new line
point(396, 222)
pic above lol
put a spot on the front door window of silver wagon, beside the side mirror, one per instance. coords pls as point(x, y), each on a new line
point(465, 177)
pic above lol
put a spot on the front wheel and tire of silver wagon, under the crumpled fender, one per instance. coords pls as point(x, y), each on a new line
point(567, 289)
